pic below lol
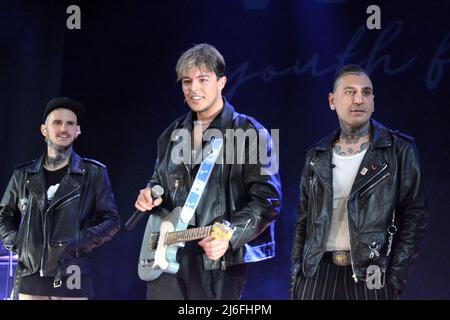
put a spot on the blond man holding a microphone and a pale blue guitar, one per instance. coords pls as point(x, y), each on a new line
point(217, 210)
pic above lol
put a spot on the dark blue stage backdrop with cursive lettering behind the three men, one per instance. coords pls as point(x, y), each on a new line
point(281, 58)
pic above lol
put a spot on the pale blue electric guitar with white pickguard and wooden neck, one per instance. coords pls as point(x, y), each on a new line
point(161, 242)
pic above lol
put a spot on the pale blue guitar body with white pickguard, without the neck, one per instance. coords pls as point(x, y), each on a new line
point(156, 257)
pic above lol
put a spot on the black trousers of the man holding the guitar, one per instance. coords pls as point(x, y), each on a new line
point(193, 282)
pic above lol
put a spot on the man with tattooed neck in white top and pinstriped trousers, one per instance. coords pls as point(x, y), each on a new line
point(362, 212)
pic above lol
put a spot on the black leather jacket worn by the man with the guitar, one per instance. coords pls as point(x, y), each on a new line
point(238, 193)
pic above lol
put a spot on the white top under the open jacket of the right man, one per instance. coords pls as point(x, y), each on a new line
point(344, 173)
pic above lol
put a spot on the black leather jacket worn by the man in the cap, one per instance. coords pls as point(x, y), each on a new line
point(49, 237)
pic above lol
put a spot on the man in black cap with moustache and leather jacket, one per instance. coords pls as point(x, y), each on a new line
point(55, 210)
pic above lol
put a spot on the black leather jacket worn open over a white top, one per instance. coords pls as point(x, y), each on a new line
point(392, 182)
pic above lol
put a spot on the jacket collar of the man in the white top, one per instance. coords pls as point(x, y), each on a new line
point(380, 137)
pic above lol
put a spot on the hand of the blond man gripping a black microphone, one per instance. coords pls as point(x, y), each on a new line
point(147, 199)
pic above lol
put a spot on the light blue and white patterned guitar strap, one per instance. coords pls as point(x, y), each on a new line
point(198, 187)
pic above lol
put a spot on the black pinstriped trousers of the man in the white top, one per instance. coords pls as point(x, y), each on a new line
point(332, 282)
